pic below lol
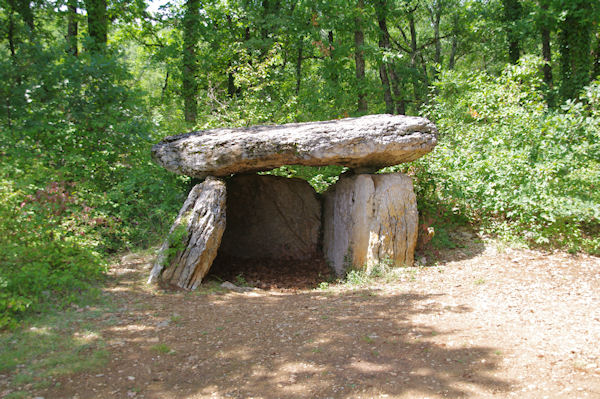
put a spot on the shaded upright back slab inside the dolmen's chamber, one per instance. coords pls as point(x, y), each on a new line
point(271, 217)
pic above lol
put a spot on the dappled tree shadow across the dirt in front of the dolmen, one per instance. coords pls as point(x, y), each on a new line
point(313, 344)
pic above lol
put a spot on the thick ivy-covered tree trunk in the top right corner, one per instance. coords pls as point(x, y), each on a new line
point(575, 42)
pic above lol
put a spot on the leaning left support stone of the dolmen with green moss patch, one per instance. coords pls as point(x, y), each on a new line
point(193, 241)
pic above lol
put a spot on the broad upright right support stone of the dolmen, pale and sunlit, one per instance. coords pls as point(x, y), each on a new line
point(369, 219)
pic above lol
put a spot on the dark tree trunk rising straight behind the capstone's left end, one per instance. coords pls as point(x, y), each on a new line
point(190, 64)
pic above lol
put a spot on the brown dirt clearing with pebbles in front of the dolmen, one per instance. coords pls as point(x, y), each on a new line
point(482, 323)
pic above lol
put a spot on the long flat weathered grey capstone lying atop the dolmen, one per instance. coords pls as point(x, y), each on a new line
point(370, 142)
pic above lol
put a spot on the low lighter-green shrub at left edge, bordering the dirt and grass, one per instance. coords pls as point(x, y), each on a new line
point(46, 255)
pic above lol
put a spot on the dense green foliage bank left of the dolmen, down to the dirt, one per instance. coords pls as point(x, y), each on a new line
point(76, 181)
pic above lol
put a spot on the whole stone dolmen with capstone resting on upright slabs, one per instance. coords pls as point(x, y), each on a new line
point(363, 219)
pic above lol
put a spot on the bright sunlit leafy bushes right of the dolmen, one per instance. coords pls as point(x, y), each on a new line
point(508, 162)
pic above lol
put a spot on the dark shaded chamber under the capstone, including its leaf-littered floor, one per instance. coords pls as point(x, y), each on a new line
point(272, 235)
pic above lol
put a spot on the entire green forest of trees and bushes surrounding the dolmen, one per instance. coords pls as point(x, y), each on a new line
point(87, 87)
